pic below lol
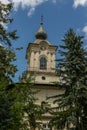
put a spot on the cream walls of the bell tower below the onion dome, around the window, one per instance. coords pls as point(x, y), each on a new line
point(34, 53)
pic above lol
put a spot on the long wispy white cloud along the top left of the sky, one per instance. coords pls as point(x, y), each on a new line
point(30, 4)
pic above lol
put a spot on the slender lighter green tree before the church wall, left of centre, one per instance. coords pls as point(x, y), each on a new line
point(32, 110)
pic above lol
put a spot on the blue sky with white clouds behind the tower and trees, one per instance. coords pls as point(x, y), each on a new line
point(59, 16)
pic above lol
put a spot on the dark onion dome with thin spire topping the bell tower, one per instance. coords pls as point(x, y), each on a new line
point(41, 34)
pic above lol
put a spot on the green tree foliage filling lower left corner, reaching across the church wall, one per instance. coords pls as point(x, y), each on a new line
point(17, 106)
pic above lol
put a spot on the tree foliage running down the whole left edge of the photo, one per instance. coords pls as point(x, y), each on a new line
point(8, 117)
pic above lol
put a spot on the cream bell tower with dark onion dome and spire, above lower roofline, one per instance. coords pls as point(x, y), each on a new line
point(41, 58)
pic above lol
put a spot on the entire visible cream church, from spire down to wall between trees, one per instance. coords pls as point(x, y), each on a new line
point(41, 57)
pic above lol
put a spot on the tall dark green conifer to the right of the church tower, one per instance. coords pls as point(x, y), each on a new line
point(72, 68)
